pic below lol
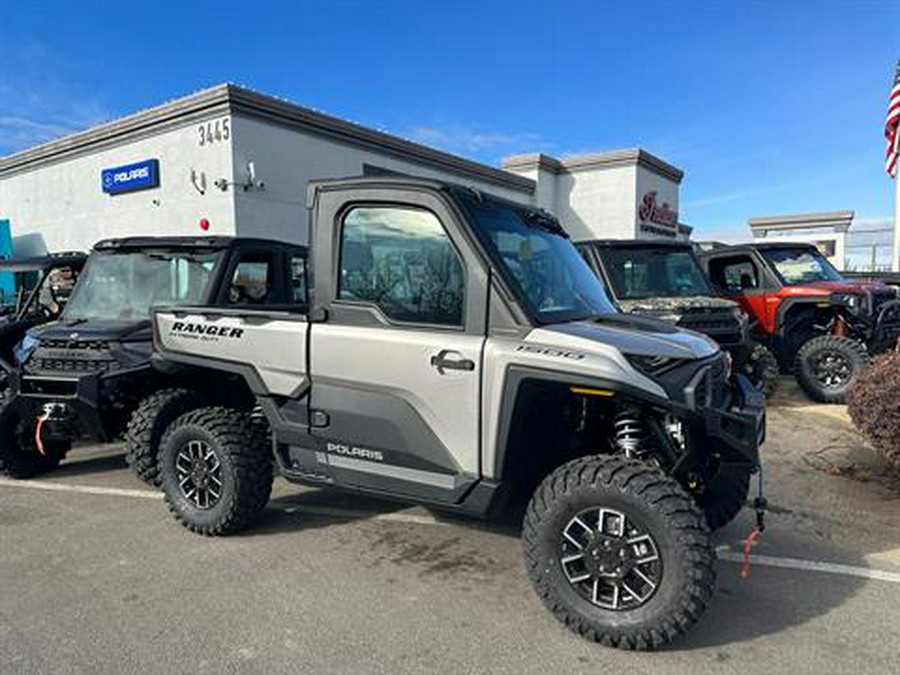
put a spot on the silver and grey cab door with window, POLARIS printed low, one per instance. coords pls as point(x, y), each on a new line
point(396, 344)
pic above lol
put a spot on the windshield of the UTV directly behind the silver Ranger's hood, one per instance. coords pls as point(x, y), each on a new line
point(642, 272)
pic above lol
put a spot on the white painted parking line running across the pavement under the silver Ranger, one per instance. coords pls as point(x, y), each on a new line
point(725, 552)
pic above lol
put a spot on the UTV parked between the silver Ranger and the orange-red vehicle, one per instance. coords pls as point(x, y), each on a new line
point(665, 280)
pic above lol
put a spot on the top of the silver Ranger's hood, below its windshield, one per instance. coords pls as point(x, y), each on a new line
point(634, 334)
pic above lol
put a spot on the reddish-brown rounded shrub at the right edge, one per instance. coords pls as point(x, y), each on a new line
point(874, 405)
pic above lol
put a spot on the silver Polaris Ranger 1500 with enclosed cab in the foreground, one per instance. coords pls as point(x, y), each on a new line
point(457, 350)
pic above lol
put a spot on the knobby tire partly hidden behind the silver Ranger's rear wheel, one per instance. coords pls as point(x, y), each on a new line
point(147, 424)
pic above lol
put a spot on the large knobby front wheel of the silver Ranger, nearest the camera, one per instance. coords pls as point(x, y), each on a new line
point(653, 505)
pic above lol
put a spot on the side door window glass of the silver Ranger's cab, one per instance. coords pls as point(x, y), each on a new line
point(402, 261)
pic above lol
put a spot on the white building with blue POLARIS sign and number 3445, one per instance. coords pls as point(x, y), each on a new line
point(228, 160)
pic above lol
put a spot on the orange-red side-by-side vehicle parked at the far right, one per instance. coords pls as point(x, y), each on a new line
point(819, 325)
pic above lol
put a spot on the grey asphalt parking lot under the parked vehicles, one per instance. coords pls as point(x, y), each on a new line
point(97, 578)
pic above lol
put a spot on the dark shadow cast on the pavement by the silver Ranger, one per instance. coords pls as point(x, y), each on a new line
point(770, 601)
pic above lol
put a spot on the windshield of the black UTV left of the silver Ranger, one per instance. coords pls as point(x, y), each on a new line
point(123, 286)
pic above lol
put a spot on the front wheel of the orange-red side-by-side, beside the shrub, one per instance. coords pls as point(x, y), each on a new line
point(826, 366)
